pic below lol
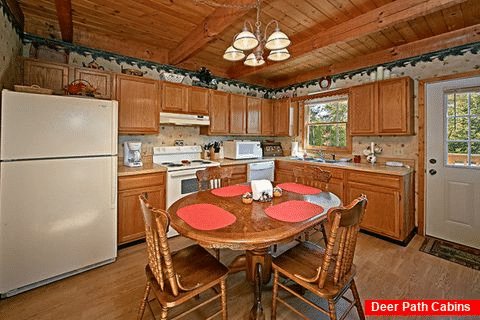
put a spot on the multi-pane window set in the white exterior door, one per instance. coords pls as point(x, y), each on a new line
point(462, 144)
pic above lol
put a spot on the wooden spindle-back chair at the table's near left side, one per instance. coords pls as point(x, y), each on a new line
point(177, 277)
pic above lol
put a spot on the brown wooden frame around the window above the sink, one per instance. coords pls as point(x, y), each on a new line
point(341, 94)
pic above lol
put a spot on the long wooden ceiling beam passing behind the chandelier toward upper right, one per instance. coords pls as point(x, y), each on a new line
point(370, 22)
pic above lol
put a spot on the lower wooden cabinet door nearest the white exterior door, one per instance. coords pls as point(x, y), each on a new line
point(383, 208)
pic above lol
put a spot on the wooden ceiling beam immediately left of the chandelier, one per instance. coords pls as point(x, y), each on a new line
point(207, 31)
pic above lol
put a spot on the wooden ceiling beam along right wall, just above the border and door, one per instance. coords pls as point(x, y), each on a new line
point(443, 41)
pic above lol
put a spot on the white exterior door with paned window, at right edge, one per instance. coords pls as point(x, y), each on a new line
point(453, 161)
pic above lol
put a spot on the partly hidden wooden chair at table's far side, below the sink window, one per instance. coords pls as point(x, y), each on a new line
point(315, 177)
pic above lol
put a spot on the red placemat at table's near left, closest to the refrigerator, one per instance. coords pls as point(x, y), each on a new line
point(206, 216)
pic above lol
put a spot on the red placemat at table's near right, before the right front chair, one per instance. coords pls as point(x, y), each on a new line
point(293, 211)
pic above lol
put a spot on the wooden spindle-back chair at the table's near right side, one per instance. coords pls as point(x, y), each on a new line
point(327, 273)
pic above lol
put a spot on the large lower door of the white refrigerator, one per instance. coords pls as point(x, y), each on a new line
point(56, 216)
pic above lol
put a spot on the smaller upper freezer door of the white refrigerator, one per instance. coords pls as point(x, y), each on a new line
point(40, 126)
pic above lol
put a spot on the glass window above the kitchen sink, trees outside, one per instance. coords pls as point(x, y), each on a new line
point(326, 123)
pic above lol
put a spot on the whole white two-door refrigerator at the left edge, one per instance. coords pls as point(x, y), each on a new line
point(58, 190)
